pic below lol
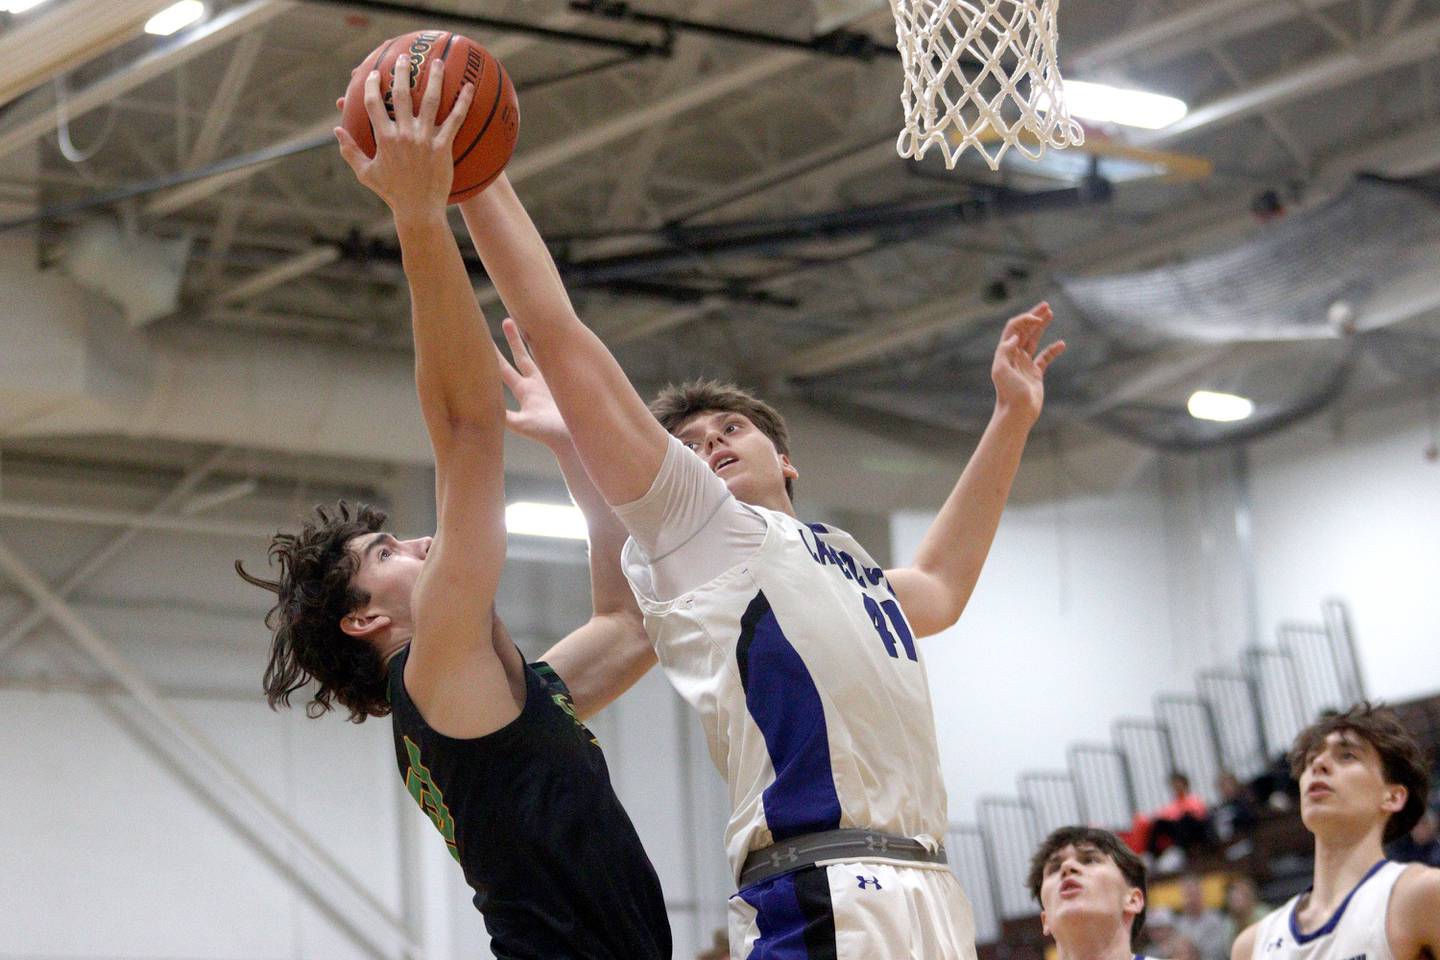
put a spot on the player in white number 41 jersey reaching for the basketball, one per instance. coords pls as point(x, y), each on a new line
point(797, 650)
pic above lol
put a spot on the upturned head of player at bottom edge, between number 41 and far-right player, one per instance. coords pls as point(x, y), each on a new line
point(1091, 889)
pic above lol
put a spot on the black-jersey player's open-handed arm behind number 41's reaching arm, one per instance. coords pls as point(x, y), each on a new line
point(606, 657)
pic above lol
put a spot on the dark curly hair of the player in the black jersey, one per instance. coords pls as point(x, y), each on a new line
point(315, 594)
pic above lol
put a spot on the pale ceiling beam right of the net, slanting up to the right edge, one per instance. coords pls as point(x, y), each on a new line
point(1364, 60)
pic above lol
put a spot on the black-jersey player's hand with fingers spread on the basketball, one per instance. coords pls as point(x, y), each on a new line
point(413, 168)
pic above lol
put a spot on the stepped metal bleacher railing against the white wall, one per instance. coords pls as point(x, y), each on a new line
point(1238, 720)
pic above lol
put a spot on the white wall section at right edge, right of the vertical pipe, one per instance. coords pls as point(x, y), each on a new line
point(1350, 507)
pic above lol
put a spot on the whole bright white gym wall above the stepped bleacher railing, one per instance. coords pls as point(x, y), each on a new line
point(1092, 604)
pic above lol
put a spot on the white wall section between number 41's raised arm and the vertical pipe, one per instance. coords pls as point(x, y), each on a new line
point(1068, 630)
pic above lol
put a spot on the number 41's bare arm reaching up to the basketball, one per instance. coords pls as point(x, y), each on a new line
point(614, 433)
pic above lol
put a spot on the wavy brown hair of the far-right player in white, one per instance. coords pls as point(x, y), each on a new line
point(1400, 756)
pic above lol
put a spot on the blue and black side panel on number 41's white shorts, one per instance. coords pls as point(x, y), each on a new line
point(796, 918)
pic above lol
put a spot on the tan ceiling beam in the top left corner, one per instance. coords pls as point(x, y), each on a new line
point(54, 42)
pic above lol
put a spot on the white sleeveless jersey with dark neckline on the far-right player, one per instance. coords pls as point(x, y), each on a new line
point(1356, 932)
